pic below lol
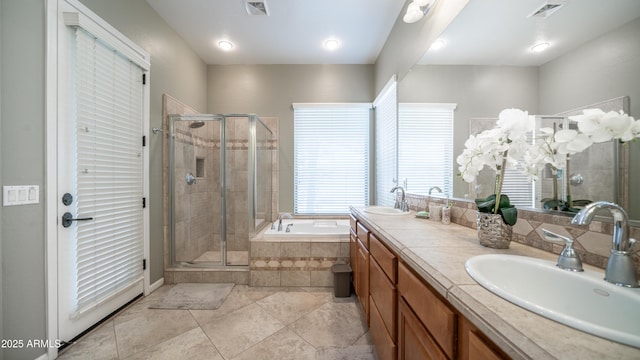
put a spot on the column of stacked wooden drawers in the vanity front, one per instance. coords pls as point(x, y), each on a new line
point(383, 299)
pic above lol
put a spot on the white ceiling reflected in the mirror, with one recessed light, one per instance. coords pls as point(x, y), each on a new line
point(498, 32)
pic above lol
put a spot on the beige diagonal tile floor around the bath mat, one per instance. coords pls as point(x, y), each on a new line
point(252, 323)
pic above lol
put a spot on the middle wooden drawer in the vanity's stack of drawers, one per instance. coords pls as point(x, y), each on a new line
point(384, 295)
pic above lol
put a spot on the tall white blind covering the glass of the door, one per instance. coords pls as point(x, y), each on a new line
point(109, 174)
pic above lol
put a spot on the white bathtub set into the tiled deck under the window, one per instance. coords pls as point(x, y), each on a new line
point(308, 227)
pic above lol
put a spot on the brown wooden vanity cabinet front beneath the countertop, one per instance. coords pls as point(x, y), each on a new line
point(407, 318)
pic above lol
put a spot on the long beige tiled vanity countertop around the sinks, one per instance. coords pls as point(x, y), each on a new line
point(438, 252)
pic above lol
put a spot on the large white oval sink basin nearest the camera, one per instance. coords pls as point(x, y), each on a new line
point(584, 301)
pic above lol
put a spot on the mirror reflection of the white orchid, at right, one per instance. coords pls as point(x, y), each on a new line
point(555, 148)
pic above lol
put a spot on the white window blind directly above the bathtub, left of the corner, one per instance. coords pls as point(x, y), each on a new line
point(331, 157)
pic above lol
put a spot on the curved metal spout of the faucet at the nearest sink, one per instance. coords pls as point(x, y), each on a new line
point(620, 268)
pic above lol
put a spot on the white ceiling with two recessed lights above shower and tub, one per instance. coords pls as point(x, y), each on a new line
point(293, 33)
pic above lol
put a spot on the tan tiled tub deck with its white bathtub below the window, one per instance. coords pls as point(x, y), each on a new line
point(301, 257)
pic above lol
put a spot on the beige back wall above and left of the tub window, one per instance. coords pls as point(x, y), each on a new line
point(269, 91)
